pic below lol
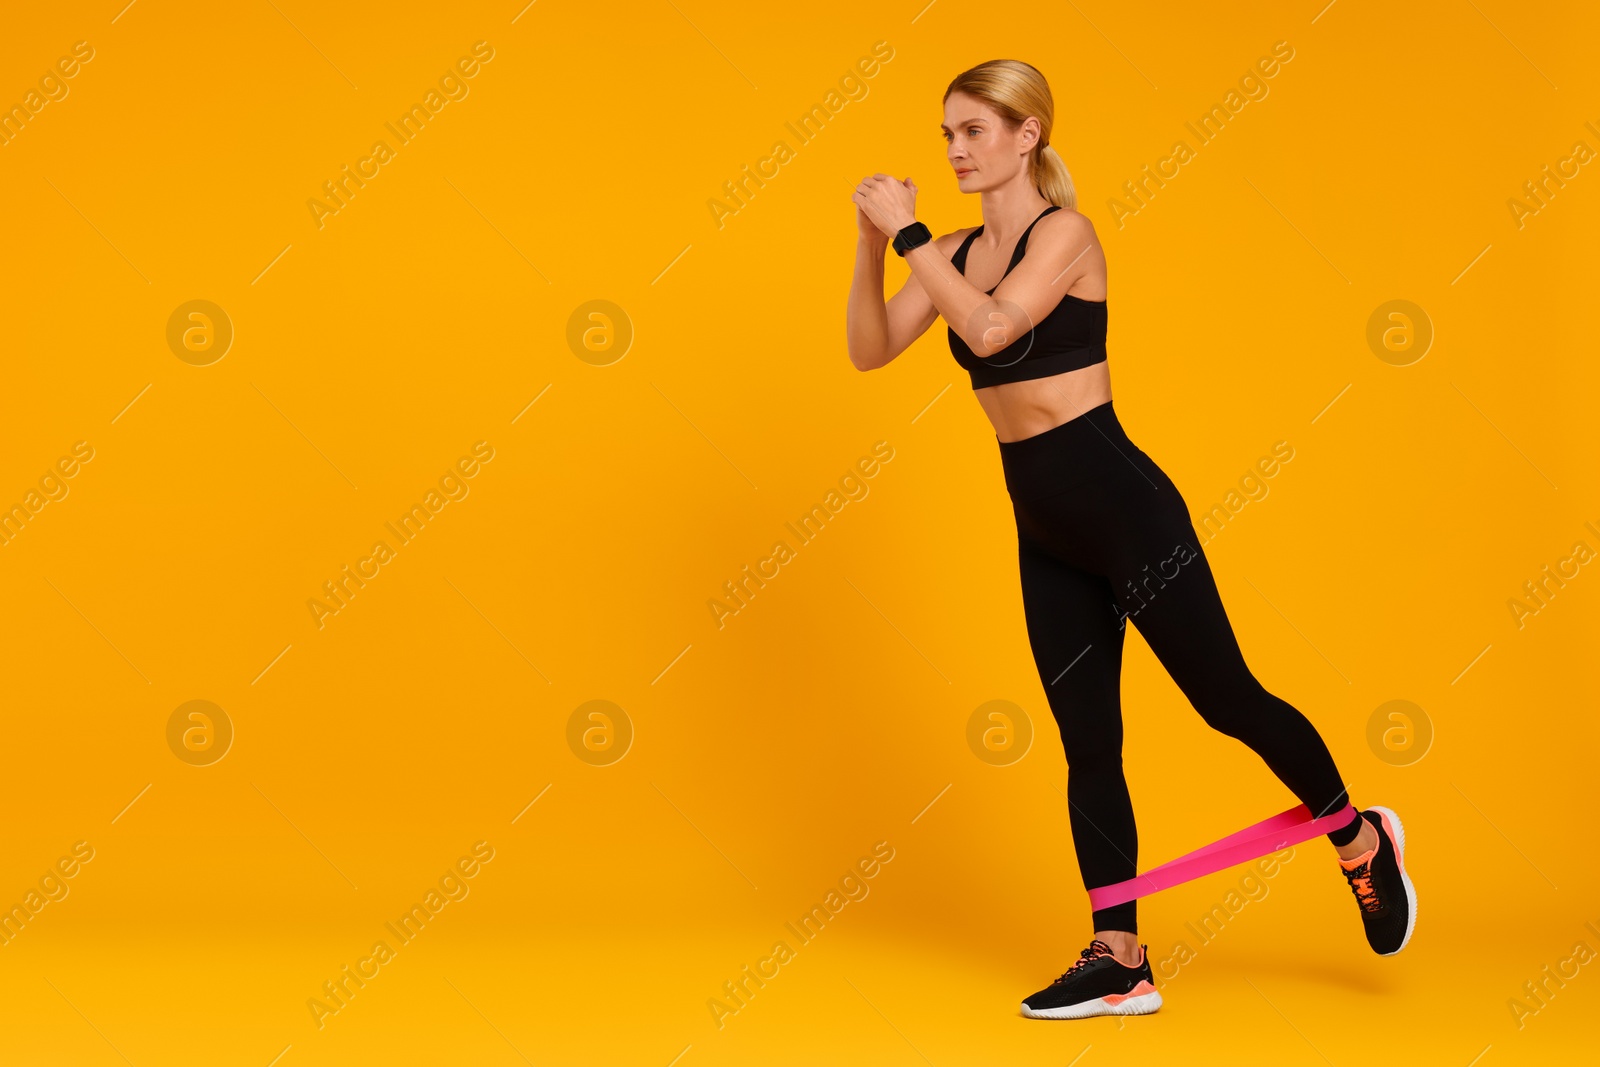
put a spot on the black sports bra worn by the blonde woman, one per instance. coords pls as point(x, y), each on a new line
point(1071, 337)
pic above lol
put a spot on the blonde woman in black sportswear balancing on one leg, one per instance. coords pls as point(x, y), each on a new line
point(1103, 533)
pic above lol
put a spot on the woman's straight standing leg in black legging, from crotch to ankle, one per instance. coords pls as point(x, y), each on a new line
point(1076, 634)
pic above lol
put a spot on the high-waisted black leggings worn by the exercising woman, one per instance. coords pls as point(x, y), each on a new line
point(1105, 537)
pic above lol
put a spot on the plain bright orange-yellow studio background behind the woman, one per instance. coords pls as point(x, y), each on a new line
point(772, 754)
